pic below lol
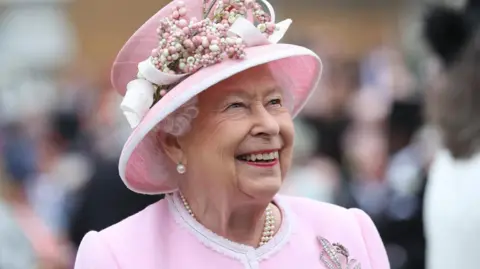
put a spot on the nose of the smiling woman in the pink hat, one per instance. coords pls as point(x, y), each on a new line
point(265, 124)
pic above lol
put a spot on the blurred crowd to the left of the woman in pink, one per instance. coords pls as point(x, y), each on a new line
point(59, 179)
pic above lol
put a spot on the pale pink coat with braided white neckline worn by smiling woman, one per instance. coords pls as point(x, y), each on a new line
point(165, 236)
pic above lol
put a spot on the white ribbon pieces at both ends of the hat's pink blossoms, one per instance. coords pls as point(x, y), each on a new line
point(139, 95)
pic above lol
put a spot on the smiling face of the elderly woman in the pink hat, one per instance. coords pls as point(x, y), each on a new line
point(241, 141)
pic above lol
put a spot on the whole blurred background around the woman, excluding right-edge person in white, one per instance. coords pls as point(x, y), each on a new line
point(363, 140)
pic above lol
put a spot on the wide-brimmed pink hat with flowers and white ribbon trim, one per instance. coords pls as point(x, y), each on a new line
point(173, 57)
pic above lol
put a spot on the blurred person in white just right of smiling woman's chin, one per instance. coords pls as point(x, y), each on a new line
point(312, 176)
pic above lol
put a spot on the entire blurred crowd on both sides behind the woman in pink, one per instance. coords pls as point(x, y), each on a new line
point(363, 141)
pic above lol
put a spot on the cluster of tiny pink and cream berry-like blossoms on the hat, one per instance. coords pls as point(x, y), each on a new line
point(186, 46)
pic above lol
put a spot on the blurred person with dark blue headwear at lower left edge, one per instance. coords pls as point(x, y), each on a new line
point(25, 241)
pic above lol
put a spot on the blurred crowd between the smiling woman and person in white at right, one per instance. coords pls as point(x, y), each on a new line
point(364, 143)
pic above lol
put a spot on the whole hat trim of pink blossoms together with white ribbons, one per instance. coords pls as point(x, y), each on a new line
point(227, 29)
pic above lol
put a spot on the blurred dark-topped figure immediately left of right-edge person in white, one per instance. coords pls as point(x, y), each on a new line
point(402, 229)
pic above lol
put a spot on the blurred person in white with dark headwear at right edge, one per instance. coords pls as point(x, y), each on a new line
point(452, 218)
